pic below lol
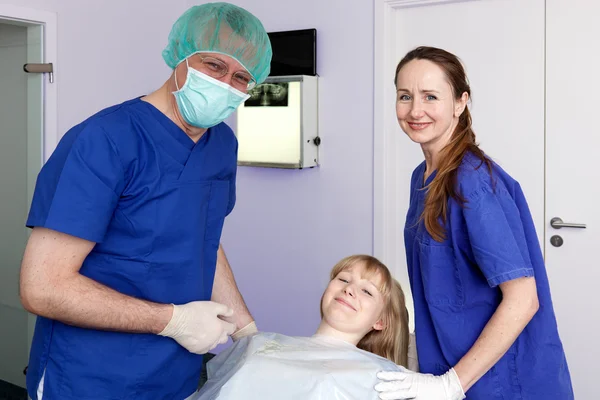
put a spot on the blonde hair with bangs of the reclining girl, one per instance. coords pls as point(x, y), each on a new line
point(392, 341)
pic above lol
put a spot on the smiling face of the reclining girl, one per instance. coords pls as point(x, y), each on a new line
point(352, 303)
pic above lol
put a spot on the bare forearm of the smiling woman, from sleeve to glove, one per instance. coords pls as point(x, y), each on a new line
point(499, 334)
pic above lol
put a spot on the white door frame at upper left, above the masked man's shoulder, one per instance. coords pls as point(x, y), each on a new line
point(48, 21)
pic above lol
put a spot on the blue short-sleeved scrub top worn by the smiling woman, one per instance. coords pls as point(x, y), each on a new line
point(455, 285)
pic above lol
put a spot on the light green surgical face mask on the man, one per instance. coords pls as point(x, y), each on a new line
point(204, 101)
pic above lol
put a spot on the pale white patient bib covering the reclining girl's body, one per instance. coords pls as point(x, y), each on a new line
point(272, 366)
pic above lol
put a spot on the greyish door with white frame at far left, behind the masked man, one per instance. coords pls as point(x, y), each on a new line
point(27, 125)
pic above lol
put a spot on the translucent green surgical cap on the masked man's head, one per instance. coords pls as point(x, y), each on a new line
point(221, 28)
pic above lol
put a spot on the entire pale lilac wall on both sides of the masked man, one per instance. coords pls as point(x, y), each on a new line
point(289, 227)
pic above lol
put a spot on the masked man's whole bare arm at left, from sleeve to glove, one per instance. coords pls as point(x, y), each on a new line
point(51, 286)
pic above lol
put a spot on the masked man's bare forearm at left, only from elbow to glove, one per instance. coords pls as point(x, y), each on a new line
point(79, 301)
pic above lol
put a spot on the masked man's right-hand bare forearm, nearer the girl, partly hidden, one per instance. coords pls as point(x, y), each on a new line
point(225, 291)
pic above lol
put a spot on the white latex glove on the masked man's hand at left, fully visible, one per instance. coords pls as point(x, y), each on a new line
point(197, 327)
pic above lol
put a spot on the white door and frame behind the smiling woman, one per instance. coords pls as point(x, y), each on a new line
point(533, 68)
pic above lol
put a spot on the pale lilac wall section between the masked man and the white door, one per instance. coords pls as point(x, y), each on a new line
point(290, 227)
